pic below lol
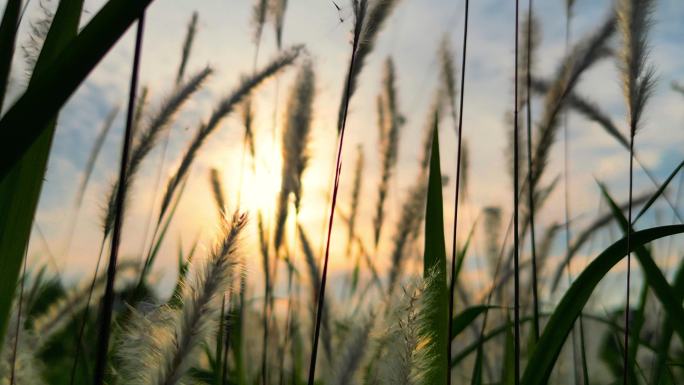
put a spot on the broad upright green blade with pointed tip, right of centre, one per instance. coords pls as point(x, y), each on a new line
point(434, 271)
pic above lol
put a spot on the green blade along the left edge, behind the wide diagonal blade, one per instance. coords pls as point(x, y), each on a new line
point(21, 180)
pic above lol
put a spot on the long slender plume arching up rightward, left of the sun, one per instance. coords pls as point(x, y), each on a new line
point(223, 109)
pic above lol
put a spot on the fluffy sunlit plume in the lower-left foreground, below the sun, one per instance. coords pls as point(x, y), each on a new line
point(160, 347)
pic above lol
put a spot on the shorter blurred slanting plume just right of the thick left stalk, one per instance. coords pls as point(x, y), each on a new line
point(146, 139)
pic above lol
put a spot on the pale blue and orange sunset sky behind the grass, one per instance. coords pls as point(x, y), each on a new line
point(411, 37)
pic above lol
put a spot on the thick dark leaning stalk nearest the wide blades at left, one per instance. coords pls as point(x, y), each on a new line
point(108, 300)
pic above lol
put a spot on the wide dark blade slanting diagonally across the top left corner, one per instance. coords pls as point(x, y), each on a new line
point(70, 66)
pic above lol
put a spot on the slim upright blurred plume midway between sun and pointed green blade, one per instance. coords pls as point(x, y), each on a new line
point(390, 121)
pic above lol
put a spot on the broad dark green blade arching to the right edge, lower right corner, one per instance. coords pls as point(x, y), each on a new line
point(555, 333)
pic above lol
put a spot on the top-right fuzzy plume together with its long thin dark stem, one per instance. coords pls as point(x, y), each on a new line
point(638, 80)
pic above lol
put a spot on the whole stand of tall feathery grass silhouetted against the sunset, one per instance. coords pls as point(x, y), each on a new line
point(396, 323)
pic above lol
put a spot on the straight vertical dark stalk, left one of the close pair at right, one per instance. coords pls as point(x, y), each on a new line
point(516, 241)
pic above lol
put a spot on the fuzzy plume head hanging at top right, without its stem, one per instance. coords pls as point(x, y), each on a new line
point(634, 20)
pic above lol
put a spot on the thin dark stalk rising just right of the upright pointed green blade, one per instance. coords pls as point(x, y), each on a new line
point(459, 133)
